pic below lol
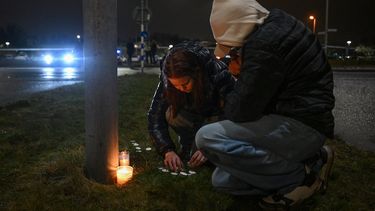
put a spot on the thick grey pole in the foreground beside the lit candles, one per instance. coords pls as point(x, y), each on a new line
point(101, 114)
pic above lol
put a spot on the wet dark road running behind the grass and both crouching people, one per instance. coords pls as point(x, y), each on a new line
point(354, 111)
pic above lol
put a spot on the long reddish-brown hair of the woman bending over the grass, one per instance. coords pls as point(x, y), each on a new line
point(178, 63)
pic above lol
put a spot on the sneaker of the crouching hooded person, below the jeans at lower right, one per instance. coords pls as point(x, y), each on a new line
point(313, 183)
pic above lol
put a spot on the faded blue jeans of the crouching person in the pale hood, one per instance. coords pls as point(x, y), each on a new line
point(259, 157)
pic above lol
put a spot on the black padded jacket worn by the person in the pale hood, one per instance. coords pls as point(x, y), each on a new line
point(284, 71)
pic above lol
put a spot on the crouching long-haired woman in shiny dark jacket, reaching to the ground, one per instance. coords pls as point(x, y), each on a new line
point(192, 87)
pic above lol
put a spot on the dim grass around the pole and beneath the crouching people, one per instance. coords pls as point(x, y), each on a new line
point(42, 144)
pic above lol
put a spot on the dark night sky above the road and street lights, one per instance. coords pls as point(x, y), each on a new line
point(187, 18)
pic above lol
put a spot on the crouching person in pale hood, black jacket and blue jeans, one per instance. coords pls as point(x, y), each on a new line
point(279, 113)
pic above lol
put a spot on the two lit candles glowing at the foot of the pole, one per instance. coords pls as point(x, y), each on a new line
point(124, 171)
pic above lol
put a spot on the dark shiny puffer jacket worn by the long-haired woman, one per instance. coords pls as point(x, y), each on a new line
point(220, 82)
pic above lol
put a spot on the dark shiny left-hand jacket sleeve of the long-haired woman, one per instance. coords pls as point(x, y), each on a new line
point(157, 123)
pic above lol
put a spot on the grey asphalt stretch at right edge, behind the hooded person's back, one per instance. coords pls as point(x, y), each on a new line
point(355, 108)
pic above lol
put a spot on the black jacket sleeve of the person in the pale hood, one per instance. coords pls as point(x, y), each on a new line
point(260, 77)
